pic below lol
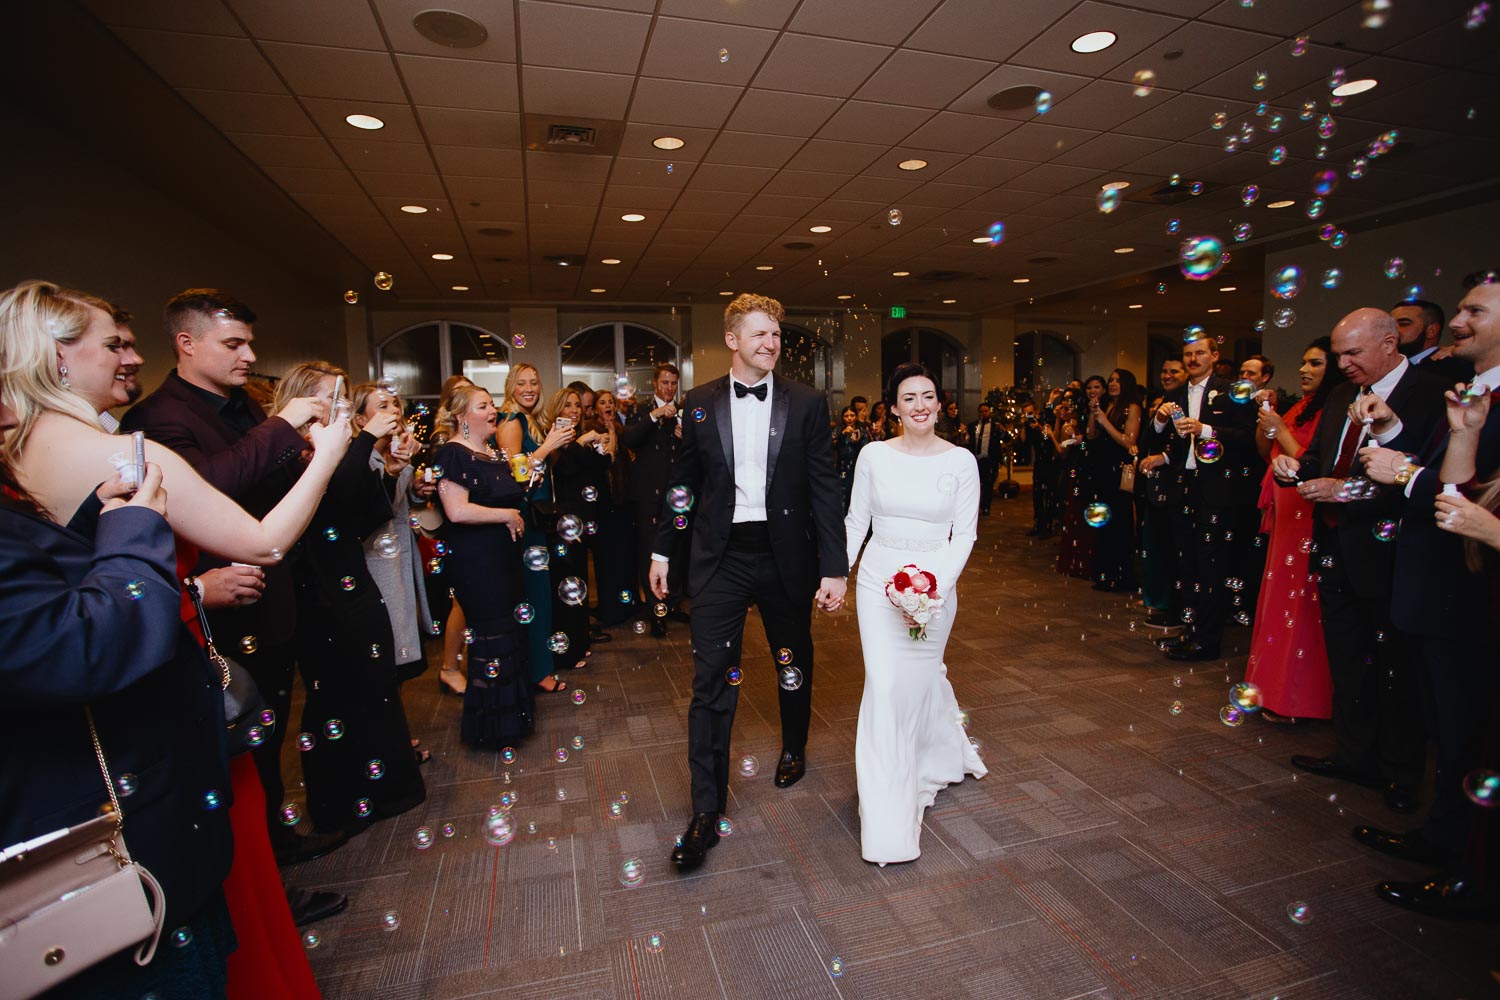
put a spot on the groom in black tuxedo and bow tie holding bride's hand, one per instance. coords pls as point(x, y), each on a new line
point(767, 519)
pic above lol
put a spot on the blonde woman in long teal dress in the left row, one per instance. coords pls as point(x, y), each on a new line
point(524, 431)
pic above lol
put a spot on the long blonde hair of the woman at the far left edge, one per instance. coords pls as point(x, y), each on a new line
point(35, 319)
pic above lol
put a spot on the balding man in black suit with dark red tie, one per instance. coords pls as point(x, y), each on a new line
point(1378, 726)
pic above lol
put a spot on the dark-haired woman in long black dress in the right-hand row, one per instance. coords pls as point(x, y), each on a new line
point(1112, 433)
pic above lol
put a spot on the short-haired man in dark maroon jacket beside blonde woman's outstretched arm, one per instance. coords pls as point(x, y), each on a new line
point(203, 415)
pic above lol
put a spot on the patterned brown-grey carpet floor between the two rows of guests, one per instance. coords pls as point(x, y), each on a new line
point(1114, 851)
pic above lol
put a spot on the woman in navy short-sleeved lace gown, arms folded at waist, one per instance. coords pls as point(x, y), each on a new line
point(484, 531)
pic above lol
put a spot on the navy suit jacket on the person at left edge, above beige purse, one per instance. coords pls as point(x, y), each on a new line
point(100, 624)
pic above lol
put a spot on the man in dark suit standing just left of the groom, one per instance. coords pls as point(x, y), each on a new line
point(655, 434)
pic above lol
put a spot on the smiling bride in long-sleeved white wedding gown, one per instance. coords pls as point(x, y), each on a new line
point(922, 499)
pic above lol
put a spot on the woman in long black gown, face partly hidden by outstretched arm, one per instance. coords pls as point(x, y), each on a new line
point(358, 761)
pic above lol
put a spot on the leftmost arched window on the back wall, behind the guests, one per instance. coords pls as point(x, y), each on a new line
point(424, 356)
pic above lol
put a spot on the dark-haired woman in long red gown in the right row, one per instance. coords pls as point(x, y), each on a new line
point(1288, 659)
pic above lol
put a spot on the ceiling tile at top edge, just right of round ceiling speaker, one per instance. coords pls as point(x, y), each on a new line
point(581, 38)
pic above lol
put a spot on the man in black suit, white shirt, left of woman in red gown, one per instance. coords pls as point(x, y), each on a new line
point(1208, 448)
